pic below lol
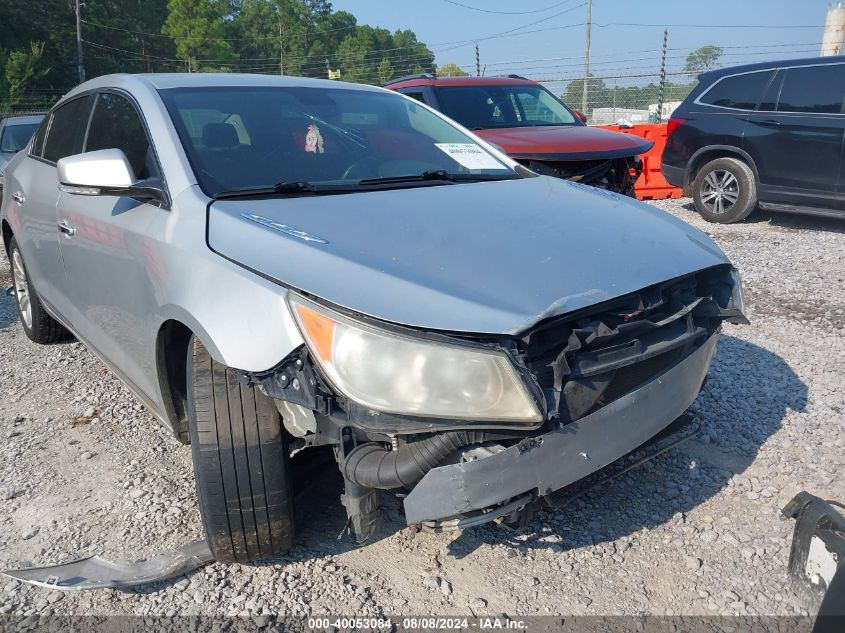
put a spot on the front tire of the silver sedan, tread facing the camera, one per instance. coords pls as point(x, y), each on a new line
point(241, 463)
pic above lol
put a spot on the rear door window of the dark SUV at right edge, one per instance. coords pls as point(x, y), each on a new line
point(815, 89)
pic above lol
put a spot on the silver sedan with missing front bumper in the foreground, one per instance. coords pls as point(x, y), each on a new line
point(275, 265)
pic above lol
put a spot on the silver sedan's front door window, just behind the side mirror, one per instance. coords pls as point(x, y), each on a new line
point(117, 125)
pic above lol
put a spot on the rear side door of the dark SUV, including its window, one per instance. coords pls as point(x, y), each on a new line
point(795, 136)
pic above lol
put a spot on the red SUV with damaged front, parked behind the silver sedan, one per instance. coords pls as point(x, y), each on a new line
point(534, 127)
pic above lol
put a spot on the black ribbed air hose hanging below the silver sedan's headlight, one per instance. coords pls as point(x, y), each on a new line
point(374, 465)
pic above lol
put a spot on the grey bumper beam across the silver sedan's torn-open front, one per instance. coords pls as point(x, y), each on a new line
point(549, 462)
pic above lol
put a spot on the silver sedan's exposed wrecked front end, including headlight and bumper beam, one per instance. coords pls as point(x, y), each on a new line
point(466, 429)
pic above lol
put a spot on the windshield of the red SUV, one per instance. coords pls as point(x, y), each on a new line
point(480, 107)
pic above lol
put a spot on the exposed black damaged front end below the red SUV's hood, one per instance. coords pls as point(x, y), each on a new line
point(611, 174)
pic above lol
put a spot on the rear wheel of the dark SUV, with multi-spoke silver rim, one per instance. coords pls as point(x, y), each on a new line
point(724, 191)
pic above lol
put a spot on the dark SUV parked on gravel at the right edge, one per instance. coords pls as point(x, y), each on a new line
point(764, 133)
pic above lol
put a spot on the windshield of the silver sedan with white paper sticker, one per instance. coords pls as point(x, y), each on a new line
point(296, 139)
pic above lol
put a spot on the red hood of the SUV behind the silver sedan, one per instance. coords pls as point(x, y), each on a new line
point(565, 142)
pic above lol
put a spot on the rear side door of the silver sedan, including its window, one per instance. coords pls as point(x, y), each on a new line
point(34, 187)
